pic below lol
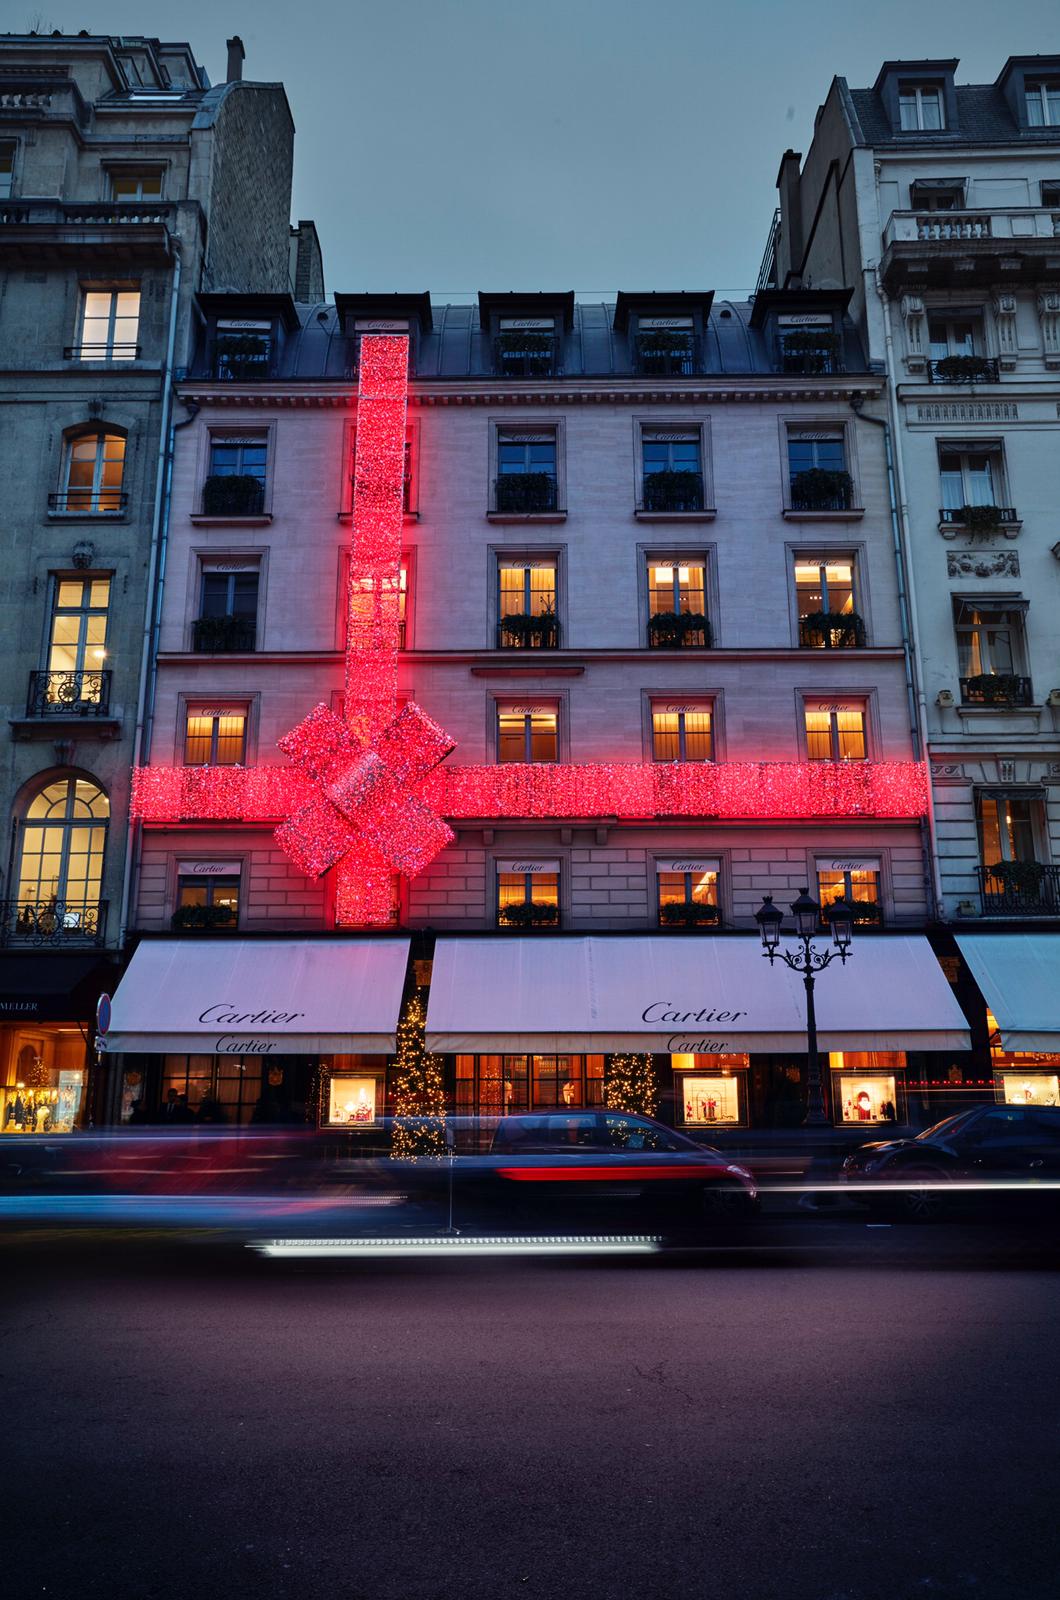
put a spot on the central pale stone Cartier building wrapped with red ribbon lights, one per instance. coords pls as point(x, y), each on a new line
point(648, 586)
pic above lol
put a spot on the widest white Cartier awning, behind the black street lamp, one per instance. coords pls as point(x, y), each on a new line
point(707, 996)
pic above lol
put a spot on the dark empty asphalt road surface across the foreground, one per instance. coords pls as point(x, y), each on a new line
point(827, 1414)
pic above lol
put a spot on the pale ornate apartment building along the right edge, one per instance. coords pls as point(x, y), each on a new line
point(941, 204)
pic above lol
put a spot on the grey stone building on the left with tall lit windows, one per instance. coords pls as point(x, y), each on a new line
point(127, 186)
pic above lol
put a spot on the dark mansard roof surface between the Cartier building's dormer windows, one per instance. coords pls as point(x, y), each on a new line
point(456, 345)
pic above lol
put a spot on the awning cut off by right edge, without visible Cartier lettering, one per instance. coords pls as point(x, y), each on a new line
point(1019, 975)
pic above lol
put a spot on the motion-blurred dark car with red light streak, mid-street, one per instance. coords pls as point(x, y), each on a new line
point(609, 1167)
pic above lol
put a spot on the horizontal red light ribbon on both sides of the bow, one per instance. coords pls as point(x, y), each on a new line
point(726, 791)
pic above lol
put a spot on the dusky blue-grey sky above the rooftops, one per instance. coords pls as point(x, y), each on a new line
point(590, 145)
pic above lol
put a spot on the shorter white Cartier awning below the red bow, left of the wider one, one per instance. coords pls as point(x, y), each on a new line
point(260, 998)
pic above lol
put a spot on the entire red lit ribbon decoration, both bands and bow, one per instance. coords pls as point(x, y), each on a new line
point(369, 796)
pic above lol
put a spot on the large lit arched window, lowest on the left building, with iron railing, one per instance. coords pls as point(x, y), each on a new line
point(60, 876)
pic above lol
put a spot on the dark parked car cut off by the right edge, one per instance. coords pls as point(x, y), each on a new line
point(962, 1159)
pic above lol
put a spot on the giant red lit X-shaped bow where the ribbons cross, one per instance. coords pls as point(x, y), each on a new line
point(364, 793)
